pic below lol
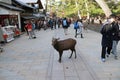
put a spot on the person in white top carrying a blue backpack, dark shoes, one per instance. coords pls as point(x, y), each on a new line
point(78, 26)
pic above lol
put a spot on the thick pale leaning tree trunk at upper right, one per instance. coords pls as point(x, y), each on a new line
point(104, 7)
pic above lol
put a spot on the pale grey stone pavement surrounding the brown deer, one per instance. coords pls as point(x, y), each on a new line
point(36, 59)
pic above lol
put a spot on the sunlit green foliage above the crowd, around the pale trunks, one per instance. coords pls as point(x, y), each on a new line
point(70, 9)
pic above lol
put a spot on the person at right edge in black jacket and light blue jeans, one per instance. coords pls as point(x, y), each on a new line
point(115, 34)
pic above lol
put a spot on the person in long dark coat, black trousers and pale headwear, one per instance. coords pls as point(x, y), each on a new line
point(106, 42)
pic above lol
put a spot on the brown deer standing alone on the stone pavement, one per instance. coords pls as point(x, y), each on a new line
point(62, 45)
